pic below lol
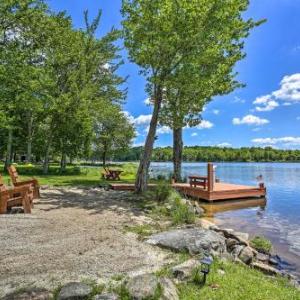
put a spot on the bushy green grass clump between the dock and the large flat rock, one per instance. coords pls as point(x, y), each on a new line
point(181, 213)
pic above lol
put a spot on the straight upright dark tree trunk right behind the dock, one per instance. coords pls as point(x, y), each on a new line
point(177, 153)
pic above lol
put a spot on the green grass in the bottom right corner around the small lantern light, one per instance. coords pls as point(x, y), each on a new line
point(239, 282)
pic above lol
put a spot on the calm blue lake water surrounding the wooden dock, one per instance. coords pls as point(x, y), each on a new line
point(277, 218)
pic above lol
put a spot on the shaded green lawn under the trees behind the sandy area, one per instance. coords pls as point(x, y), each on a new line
point(74, 175)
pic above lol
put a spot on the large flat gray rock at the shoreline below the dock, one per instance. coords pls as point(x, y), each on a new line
point(193, 240)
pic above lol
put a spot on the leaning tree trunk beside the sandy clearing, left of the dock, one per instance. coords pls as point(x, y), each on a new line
point(142, 173)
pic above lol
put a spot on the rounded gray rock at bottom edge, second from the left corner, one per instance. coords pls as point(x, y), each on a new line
point(74, 291)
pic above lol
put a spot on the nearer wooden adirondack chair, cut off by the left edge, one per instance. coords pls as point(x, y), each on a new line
point(18, 196)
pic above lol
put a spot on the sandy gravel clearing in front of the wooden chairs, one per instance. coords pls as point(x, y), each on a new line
point(73, 234)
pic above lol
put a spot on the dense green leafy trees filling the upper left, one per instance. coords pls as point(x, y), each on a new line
point(56, 84)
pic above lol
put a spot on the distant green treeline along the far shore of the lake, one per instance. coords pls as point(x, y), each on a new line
point(216, 154)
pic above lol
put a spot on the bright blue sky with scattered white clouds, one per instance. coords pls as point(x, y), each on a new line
point(264, 113)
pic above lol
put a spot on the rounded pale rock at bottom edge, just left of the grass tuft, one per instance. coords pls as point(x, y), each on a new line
point(143, 286)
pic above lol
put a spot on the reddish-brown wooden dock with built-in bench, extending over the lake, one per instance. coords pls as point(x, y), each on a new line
point(210, 190)
